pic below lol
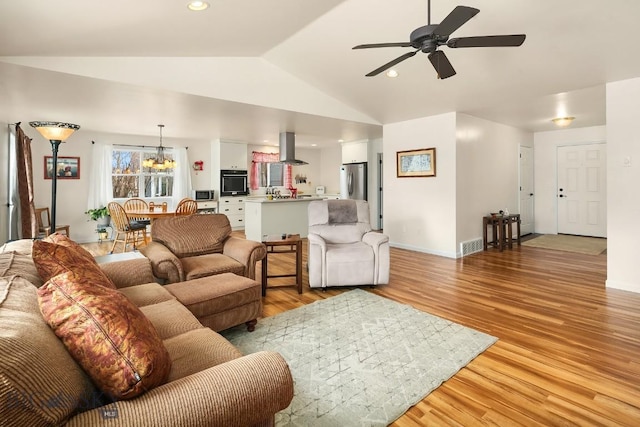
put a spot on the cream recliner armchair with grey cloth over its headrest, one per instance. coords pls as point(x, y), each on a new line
point(343, 251)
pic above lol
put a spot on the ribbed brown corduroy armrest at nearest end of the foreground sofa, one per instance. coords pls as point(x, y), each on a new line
point(242, 392)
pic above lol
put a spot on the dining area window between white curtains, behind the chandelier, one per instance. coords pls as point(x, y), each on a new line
point(129, 179)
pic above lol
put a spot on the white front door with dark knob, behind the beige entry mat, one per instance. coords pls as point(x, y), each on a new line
point(582, 195)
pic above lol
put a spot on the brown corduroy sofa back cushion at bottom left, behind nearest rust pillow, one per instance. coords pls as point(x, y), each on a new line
point(40, 383)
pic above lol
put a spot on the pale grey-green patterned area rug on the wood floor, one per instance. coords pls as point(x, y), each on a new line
point(360, 359)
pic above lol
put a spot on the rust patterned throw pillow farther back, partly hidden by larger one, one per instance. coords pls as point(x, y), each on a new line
point(52, 259)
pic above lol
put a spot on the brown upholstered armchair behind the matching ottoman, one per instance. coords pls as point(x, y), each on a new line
point(189, 247)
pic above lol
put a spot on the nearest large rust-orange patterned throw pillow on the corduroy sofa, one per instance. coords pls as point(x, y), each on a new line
point(106, 333)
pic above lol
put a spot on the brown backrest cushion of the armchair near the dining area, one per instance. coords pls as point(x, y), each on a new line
point(193, 234)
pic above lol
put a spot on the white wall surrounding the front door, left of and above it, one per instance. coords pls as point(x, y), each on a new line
point(545, 176)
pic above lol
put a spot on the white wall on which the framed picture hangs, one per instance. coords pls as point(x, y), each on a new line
point(420, 213)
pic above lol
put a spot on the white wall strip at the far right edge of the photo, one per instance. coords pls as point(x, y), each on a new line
point(623, 196)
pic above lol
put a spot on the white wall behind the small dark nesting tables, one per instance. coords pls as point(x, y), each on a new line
point(487, 157)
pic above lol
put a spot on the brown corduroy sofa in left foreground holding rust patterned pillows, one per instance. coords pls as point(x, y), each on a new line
point(210, 382)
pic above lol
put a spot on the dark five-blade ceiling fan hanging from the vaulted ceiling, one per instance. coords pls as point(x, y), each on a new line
point(429, 37)
